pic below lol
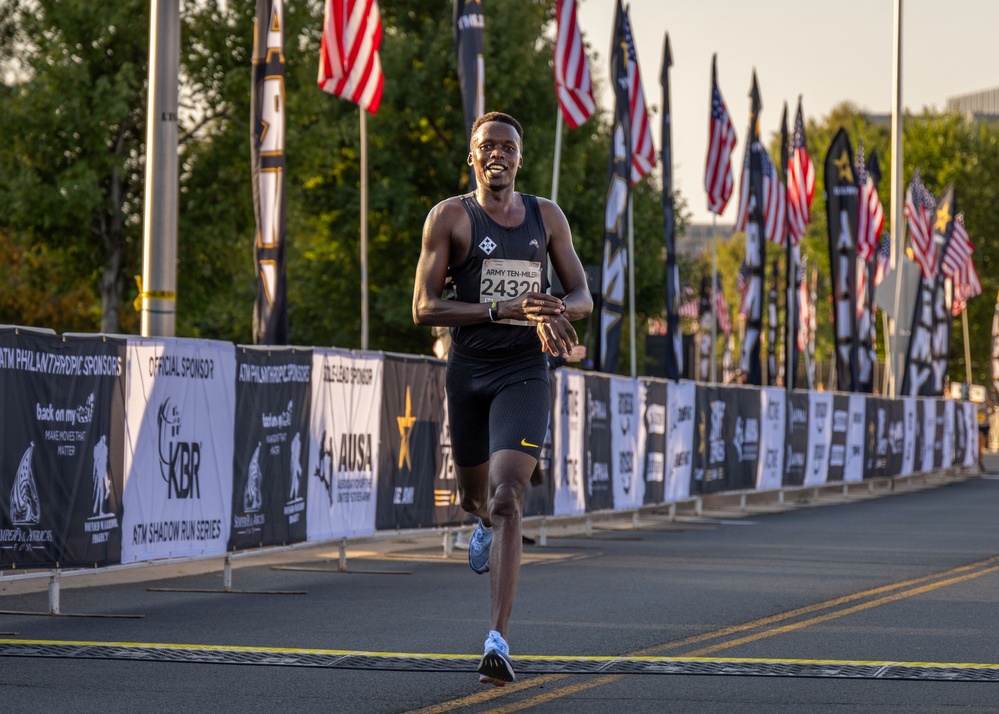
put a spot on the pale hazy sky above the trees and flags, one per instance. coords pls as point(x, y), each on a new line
point(827, 51)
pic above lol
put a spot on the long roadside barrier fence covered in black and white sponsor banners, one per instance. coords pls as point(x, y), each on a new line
point(126, 450)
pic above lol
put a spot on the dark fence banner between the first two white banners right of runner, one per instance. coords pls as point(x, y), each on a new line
point(598, 466)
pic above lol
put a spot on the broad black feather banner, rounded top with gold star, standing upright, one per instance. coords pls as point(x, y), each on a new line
point(841, 216)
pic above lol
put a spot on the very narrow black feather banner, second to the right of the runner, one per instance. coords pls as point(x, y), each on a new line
point(674, 344)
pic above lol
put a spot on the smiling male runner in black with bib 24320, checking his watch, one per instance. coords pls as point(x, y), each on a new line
point(490, 249)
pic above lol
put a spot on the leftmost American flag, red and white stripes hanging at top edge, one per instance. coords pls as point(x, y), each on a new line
point(349, 66)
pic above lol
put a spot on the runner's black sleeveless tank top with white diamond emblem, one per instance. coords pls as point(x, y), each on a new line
point(502, 263)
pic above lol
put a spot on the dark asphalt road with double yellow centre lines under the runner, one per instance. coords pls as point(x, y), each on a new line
point(852, 604)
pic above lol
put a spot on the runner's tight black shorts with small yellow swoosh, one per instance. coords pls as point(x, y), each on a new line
point(496, 401)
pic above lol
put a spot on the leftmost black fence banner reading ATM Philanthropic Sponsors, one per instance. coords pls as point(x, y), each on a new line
point(61, 462)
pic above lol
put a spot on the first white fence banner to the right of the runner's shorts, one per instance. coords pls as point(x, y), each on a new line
point(570, 491)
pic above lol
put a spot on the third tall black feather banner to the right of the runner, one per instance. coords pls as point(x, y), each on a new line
point(755, 248)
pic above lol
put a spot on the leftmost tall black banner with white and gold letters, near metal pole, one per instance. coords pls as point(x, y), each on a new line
point(270, 309)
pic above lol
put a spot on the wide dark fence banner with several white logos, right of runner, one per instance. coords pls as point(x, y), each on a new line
point(727, 441)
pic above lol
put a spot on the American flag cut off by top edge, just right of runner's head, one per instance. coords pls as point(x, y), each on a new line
point(572, 70)
